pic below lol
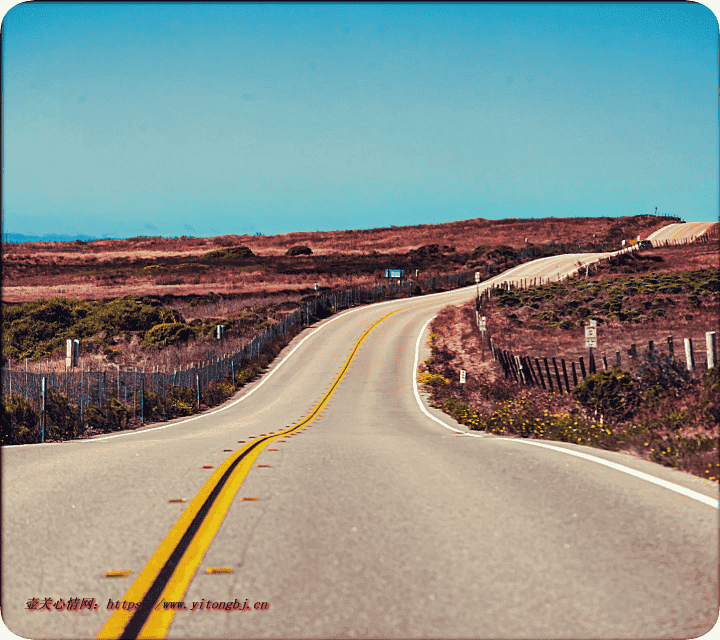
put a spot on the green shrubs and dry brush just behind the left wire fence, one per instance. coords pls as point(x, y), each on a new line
point(132, 329)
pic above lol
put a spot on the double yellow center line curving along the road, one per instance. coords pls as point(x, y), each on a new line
point(169, 571)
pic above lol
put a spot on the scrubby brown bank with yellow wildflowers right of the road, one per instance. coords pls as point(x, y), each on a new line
point(650, 407)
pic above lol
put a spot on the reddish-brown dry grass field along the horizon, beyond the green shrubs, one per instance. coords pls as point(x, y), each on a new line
point(108, 269)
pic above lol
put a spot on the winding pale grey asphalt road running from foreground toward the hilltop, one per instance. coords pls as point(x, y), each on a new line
point(373, 520)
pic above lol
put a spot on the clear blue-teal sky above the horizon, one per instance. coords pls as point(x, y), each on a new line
point(209, 119)
